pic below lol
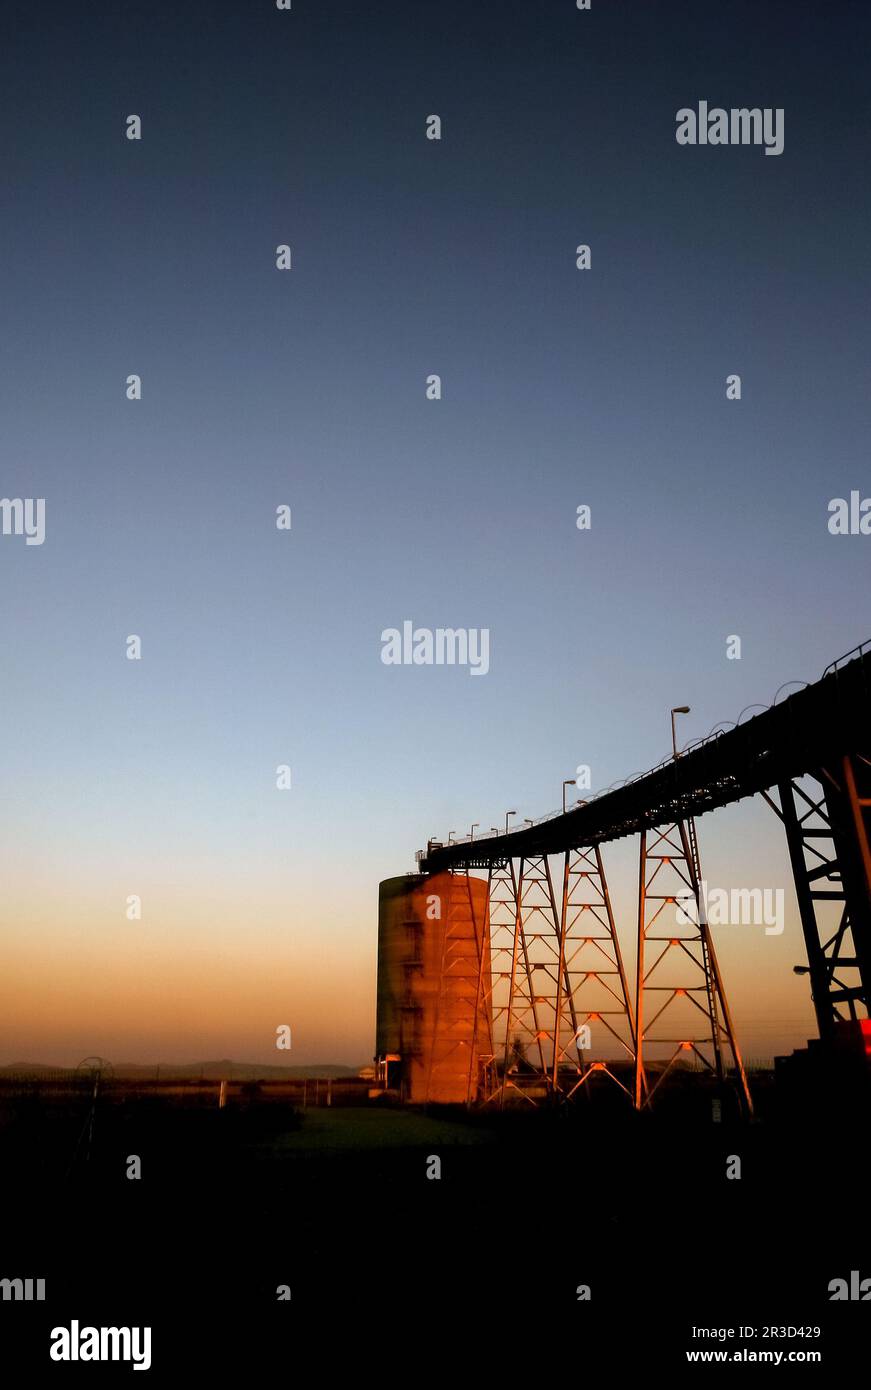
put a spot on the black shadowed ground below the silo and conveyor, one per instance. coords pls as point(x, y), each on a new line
point(337, 1204)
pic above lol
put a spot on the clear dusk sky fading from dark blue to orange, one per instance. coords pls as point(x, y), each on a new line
point(308, 389)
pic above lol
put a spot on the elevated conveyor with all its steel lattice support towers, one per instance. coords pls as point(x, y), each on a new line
point(551, 968)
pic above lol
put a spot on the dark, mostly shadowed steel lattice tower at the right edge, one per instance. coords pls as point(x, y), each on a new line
point(829, 833)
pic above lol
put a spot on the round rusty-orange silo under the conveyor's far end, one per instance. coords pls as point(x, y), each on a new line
point(434, 1028)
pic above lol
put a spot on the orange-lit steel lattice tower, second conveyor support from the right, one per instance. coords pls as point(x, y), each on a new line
point(680, 1001)
